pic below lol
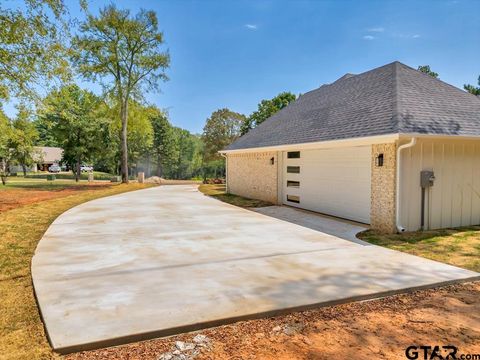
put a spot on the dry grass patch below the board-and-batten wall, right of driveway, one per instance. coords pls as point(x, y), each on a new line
point(459, 247)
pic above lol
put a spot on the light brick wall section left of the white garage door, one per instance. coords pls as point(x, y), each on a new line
point(252, 175)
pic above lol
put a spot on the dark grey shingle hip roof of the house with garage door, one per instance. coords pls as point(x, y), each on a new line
point(387, 100)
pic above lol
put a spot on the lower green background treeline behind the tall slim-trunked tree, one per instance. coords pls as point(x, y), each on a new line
point(87, 128)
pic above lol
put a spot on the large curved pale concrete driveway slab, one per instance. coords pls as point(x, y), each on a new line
point(165, 260)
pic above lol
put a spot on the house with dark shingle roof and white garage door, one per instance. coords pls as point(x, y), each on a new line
point(357, 149)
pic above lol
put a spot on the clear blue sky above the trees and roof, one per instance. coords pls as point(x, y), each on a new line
point(235, 53)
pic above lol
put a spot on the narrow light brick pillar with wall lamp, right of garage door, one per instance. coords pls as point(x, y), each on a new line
point(382, 213)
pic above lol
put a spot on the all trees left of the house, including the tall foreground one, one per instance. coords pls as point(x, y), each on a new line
point(116, 131)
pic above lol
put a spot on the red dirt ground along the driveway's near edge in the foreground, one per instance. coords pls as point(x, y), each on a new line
point(376, 329)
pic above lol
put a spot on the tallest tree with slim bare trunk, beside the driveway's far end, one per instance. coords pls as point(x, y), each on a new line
point(126, 49)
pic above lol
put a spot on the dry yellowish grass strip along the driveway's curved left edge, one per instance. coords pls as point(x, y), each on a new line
point(22, 334)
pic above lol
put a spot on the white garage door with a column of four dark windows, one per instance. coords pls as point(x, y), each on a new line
point(329, 181)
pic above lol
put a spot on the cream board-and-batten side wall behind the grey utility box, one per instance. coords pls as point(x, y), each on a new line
point(454, 199)
